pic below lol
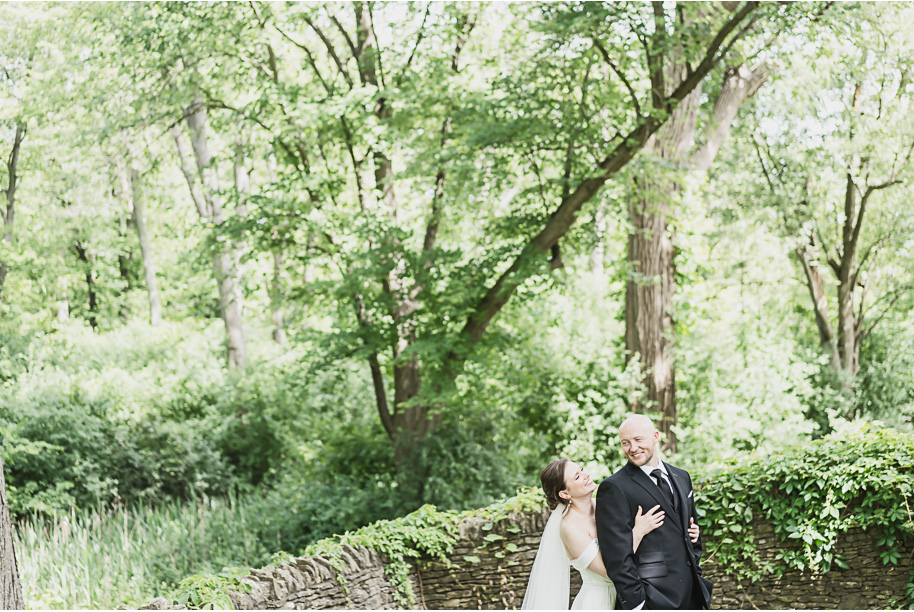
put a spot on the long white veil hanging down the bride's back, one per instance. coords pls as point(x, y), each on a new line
point(549, 585)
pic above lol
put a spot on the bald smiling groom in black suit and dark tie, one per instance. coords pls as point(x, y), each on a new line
point(664, 573)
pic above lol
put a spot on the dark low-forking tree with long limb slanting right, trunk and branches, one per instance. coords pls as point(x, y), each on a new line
point(414, 413)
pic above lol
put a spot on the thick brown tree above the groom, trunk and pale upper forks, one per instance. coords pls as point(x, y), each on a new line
point(682, 146)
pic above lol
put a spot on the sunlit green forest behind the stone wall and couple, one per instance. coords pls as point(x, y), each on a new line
point(274, 271)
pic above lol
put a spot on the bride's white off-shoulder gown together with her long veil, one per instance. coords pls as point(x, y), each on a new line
point(549, 585)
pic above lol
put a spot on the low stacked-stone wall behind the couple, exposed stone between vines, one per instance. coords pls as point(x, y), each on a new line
point(489, 568)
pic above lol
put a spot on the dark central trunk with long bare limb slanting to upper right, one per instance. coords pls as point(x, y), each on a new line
point(407, 423)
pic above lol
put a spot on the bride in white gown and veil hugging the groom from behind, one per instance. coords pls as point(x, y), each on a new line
point(570, 540)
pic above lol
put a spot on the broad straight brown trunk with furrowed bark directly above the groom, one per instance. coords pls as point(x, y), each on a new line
point(649, 325)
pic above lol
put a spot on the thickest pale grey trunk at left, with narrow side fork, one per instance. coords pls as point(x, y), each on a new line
point(226, 273)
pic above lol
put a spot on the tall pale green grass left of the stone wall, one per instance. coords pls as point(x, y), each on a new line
point(101, 559)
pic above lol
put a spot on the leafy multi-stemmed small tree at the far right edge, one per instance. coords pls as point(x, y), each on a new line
point(862, 163)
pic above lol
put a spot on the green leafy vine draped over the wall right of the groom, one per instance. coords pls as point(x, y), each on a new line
point(861, 477)
